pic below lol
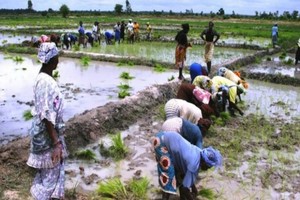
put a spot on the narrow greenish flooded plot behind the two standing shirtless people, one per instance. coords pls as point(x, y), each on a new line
point(166, 51)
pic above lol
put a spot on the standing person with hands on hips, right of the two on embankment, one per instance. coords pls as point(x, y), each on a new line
point(210, 34)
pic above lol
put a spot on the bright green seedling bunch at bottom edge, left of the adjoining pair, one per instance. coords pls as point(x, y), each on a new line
point(112, 189)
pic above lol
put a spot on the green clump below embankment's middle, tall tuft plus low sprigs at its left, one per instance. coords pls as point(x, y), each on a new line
point(117, 150)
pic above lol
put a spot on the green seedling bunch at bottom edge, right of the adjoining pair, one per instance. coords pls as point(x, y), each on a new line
point(139, 188)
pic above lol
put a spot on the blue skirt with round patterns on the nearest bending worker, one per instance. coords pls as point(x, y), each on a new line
point(165, 168)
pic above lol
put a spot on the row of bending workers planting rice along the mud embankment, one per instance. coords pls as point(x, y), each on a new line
point(178, 146)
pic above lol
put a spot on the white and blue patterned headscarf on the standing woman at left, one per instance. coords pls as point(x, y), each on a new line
point(47, 51)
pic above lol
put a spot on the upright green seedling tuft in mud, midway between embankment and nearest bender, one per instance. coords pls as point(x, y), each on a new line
point(118, 150)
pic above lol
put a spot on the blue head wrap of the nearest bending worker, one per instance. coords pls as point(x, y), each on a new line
point(212, 157)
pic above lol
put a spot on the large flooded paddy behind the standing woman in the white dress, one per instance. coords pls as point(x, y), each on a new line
point(84, 87)
